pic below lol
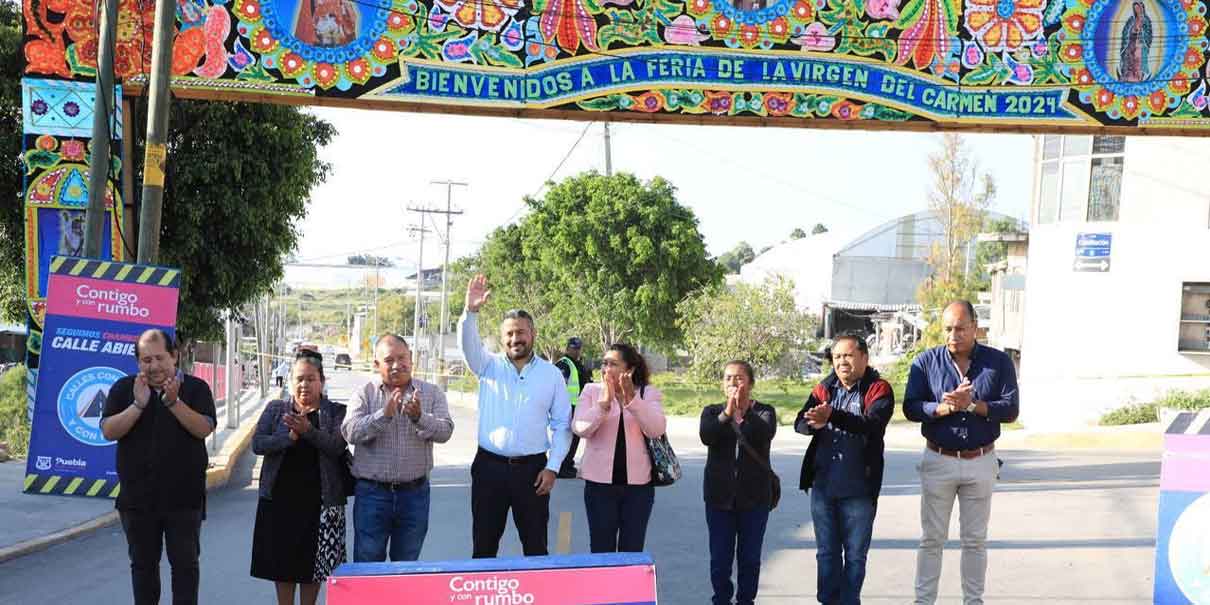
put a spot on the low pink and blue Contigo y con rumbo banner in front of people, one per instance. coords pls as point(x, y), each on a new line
point(614, 579)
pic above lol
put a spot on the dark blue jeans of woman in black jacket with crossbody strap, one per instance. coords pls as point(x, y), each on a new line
point(736, 537)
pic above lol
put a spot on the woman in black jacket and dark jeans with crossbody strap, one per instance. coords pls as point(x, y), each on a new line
point(739, 489)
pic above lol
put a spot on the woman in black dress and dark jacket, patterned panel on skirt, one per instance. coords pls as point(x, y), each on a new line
point(301, 516)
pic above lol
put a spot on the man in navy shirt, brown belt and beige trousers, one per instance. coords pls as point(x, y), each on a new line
point(960, 393)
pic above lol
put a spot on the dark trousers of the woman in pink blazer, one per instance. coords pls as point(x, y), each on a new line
point(618, 516)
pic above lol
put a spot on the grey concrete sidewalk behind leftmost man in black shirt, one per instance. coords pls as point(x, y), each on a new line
point(34, 522)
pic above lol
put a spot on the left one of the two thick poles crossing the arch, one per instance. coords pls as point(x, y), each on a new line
point(102, 135)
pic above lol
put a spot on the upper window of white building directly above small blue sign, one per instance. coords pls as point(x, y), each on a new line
point(1081, 178)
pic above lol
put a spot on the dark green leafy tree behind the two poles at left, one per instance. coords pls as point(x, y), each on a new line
point(239, 181)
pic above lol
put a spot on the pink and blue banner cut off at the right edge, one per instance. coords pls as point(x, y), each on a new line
point(1183, 543)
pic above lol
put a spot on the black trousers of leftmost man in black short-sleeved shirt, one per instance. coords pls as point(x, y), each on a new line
point(147, 534)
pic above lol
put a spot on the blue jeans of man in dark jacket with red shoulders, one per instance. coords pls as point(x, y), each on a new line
point(844, 528)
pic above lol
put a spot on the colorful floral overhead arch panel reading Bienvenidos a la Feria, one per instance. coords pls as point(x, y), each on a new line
point(1125, 66)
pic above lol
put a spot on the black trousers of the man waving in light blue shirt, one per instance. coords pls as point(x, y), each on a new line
point(498, 486)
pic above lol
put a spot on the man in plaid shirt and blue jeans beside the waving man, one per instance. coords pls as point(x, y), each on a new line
point(393, 424)
